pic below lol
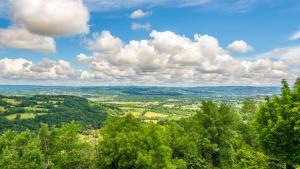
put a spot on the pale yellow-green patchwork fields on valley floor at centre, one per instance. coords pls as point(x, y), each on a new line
point(154, 111)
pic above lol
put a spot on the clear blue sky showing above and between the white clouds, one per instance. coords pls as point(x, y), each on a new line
point(264, 25)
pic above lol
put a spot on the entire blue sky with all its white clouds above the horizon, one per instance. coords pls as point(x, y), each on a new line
point(146, 42)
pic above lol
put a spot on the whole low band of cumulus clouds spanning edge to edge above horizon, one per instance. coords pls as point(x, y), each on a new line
point(164, 58)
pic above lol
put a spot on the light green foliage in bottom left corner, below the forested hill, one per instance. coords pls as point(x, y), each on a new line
point(53, 148)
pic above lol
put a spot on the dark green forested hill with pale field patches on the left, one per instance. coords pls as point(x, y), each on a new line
point(20, 113)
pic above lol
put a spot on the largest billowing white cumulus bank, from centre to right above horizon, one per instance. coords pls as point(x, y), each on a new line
point(168, 58)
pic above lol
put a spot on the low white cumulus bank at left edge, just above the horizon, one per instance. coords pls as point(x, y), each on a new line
point(26, 70)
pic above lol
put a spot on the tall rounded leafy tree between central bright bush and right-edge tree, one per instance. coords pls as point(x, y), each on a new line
point(217, 133)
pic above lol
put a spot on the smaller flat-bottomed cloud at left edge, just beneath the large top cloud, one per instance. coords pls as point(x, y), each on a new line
point(22, 39)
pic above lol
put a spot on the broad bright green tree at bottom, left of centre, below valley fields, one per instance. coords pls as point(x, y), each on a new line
point(128, 143)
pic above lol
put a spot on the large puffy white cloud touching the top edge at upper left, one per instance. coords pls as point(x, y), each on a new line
point(51, 17)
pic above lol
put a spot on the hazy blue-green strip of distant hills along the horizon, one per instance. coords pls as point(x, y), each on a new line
point(145, 92)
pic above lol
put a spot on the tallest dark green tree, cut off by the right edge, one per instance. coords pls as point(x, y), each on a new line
point(278, 124)
